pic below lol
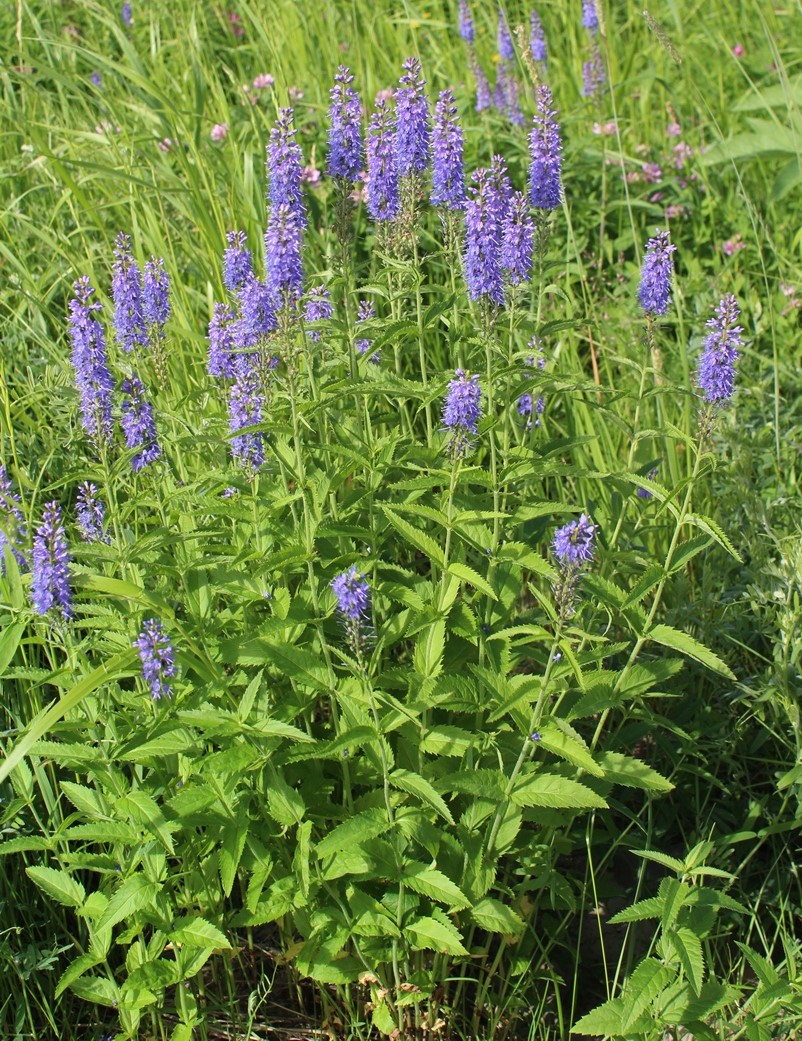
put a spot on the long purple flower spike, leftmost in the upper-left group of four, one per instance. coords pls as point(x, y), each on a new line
point(93, 377)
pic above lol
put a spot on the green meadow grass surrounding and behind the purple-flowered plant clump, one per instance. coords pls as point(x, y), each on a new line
point(79, 164)
